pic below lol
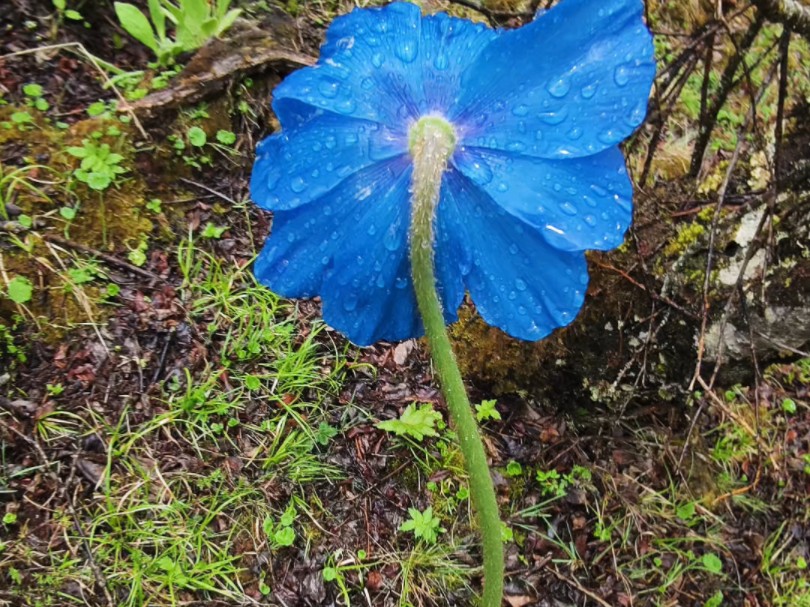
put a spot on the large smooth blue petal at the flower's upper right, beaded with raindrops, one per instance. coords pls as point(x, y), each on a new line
point(572, 83)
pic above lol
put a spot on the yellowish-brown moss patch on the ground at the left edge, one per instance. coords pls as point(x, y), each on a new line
point(113, 221)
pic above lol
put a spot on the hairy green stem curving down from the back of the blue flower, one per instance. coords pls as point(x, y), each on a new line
point(432, 141)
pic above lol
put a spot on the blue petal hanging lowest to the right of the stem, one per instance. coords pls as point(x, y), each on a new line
point(517, 281)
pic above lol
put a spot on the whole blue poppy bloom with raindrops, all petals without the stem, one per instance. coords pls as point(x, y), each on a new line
point(535, 180)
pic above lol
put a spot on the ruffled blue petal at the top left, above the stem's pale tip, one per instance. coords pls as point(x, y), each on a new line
point(388, 65)
